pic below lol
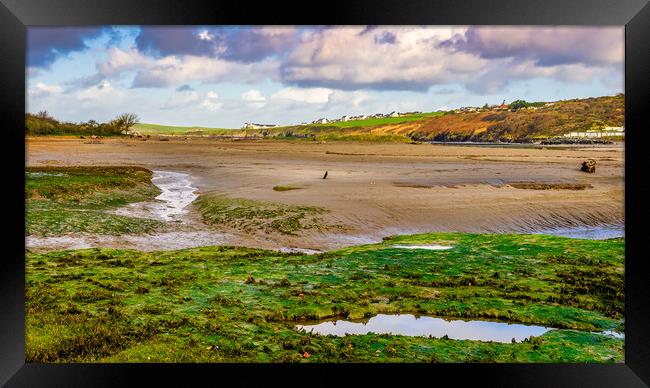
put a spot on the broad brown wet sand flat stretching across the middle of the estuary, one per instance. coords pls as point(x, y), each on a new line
point(378, 189)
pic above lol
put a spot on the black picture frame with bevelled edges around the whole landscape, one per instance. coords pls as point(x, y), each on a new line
point(15, 15)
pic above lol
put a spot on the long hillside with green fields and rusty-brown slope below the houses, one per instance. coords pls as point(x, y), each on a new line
point(536, 121)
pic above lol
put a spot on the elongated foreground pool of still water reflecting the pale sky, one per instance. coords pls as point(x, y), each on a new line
point(410, 325)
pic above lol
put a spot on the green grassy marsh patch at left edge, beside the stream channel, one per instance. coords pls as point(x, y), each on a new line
point(63, 200)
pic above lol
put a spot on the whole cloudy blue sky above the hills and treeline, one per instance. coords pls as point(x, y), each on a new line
point(225, 76)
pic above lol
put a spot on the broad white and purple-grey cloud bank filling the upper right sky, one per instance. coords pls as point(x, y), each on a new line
point(416, 58)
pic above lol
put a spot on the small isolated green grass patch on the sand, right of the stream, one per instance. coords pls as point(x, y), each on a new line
point(251, 215)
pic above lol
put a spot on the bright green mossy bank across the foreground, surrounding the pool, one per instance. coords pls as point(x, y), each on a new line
point(214, 304)
